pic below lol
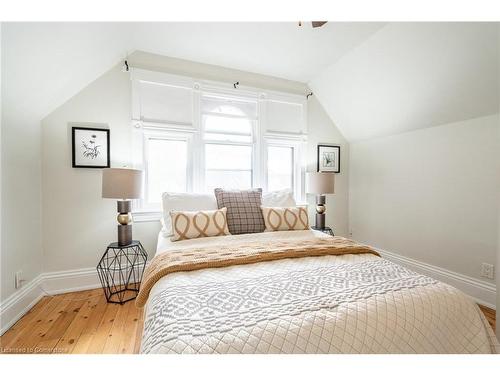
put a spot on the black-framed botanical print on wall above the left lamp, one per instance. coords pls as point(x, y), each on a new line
point(90, 147)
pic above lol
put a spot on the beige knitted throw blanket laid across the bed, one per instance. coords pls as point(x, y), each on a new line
point(225, 256)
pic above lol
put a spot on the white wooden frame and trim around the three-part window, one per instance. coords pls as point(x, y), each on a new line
point(193, 134)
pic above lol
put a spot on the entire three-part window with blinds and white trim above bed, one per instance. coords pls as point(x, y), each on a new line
point(191, 136)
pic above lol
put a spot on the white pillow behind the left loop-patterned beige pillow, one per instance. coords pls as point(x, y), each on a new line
point(184, 202)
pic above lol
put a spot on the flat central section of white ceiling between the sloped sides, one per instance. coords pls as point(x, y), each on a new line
point(279, 49)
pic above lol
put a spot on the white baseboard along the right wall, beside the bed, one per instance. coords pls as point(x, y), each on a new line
point(482, 292)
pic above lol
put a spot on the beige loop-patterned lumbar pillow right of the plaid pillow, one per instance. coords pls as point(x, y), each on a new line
point(285, 218)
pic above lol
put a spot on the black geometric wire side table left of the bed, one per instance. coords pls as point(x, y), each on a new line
point(120, 271)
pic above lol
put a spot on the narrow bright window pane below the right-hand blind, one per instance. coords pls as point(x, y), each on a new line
point(280, 166)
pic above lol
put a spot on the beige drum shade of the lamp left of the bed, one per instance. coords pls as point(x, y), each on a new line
point(121, 183)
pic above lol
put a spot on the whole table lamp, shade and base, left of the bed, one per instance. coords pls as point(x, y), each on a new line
point(122, 184)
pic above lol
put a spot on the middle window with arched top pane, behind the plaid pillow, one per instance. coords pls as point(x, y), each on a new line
point(228, 137)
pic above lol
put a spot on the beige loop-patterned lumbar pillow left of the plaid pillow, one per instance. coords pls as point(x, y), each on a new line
point(195, 224)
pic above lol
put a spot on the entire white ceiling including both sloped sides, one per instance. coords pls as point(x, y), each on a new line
point(373, 79)
